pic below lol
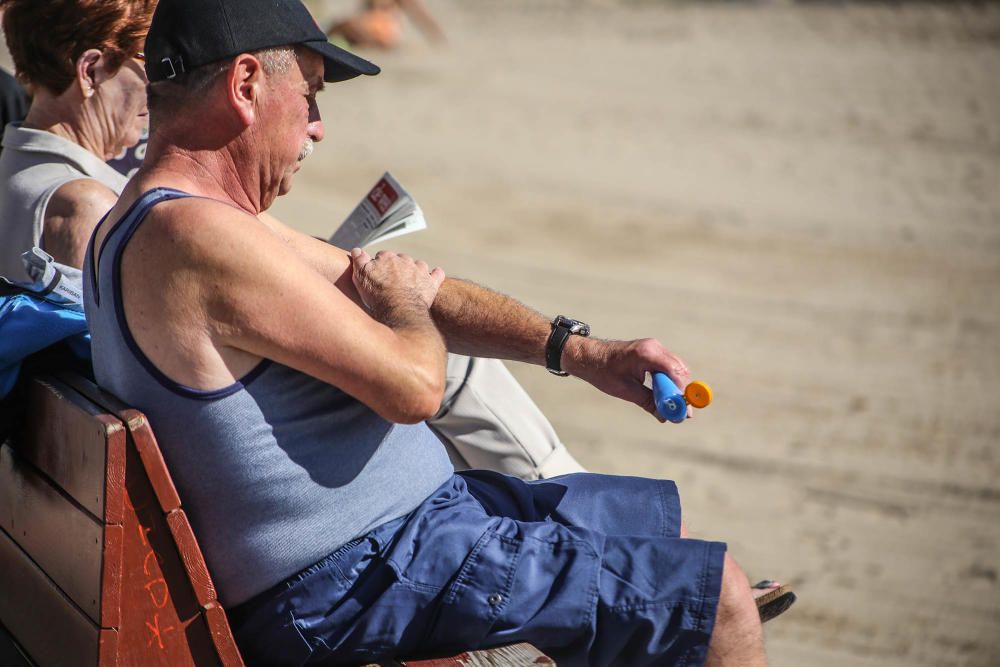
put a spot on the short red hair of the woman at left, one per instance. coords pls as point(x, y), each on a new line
point(46, 37)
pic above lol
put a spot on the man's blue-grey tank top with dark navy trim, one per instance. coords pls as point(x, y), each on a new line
point(275, 471)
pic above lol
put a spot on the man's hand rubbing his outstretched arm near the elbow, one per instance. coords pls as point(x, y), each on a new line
point(390, 282)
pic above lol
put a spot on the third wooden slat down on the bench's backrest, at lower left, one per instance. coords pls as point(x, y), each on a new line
point(31, 606)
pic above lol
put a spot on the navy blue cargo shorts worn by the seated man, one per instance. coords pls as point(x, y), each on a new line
point(588, 568)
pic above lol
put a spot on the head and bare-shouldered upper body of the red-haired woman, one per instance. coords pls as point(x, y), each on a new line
point(82, 62)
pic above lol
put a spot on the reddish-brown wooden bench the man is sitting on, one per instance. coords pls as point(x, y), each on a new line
point(98, 562)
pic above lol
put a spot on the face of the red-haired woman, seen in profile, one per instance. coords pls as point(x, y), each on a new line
point(121, 105)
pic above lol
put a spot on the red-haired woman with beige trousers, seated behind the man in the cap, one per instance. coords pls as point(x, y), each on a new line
point(55, 187)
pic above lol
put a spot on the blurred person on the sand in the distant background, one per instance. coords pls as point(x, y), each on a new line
point(379, 24)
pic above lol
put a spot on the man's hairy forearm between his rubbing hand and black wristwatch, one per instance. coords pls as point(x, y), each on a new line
point(480, 322)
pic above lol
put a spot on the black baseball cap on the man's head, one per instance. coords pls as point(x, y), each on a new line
point(186, 34)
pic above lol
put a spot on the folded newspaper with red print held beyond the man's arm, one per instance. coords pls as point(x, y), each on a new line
point(387, 211)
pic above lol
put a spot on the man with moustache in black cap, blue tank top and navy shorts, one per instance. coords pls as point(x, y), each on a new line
point(288, 382)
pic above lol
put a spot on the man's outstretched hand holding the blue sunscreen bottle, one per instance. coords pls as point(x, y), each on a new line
point(619, 368)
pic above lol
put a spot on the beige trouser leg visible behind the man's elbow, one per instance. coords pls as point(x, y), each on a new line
point(487, 420)
